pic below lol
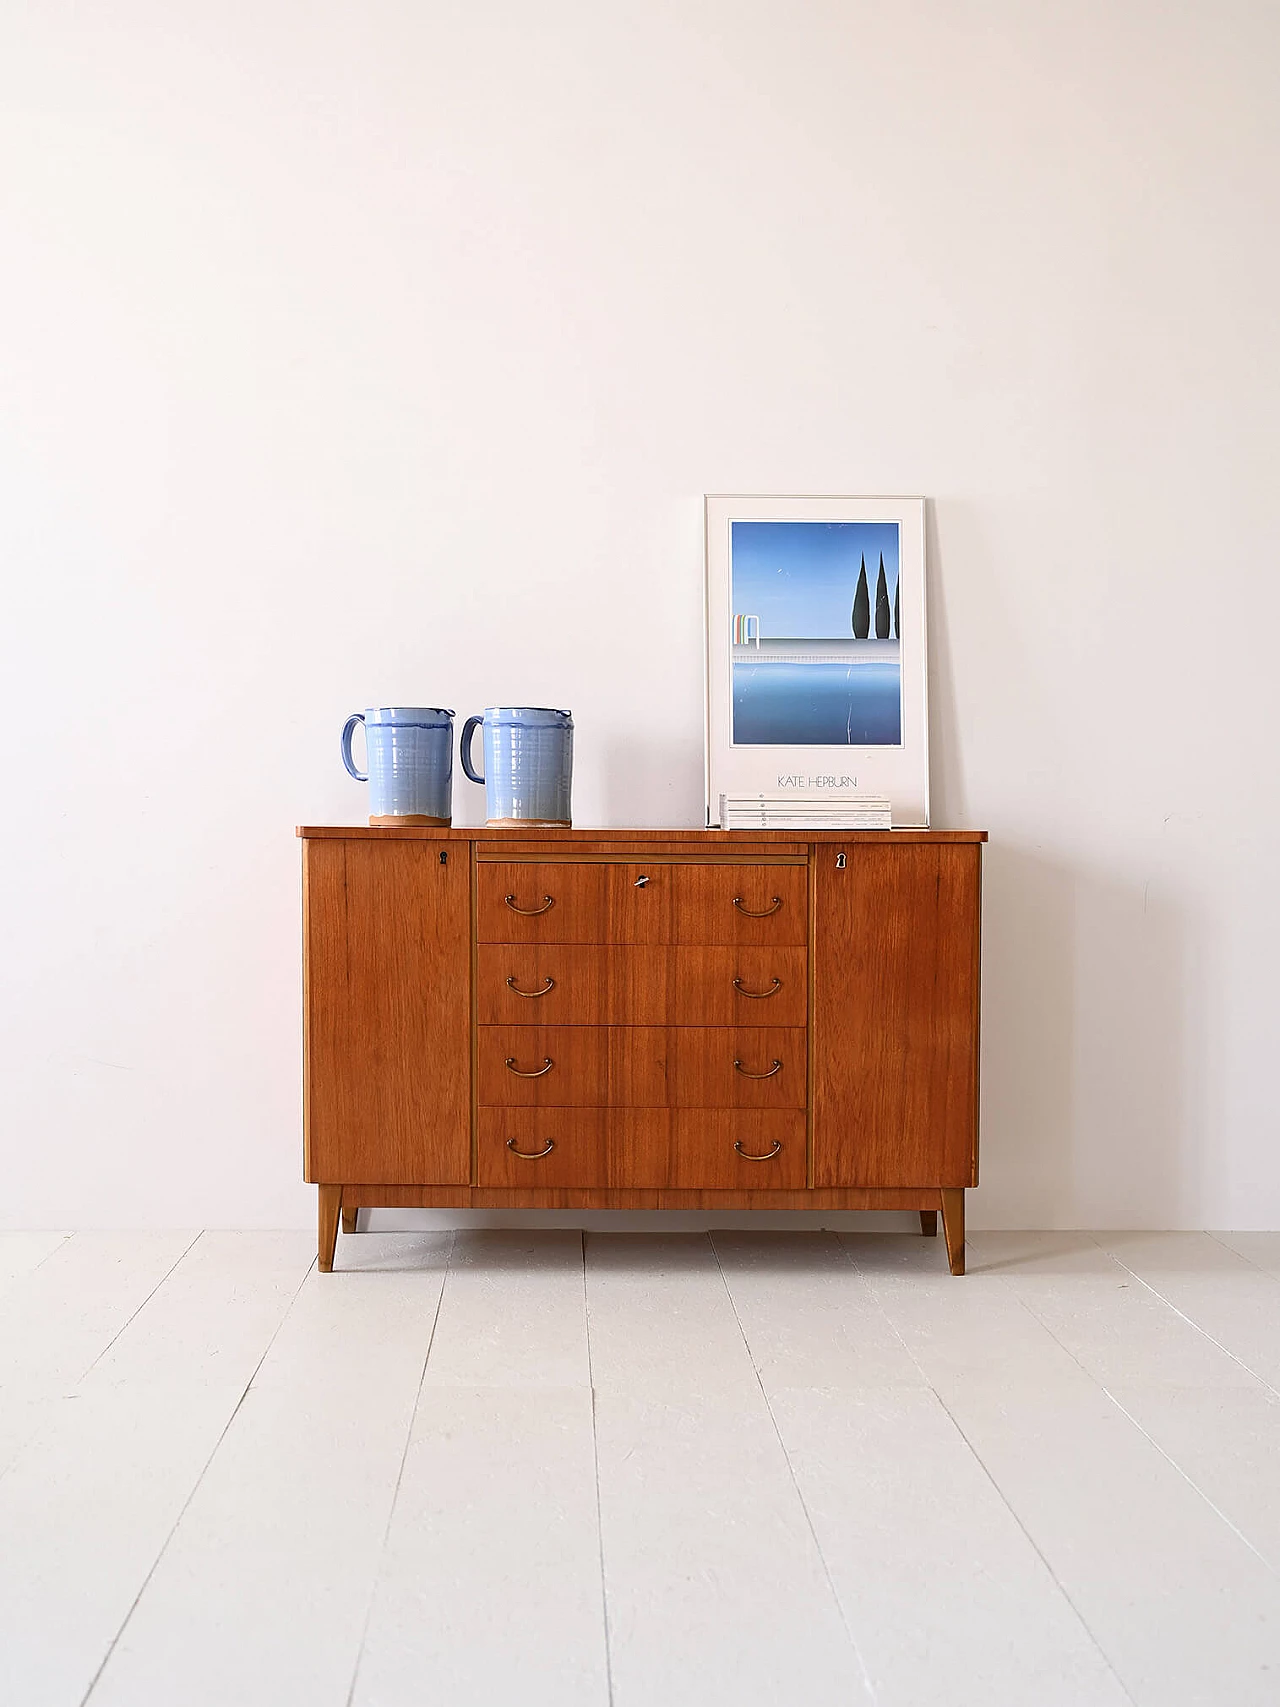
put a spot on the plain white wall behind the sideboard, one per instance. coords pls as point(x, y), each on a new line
point(383, 352)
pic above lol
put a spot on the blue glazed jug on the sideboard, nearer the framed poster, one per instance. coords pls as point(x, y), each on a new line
point(528, 764)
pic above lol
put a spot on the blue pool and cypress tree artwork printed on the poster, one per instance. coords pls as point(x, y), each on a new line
point(815, 634)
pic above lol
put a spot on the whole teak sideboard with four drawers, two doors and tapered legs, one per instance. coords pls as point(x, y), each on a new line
point(641, 1020)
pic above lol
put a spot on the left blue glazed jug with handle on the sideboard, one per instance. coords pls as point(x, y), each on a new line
point(410, 762)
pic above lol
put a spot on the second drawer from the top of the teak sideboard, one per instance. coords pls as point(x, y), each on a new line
point(573, 984)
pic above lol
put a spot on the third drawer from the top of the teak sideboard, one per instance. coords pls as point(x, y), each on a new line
point(643, 1068)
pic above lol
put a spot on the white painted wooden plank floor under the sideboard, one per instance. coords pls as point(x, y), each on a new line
point(639, 1471)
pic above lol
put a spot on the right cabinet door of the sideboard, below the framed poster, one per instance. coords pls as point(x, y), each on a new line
point(895, 1025)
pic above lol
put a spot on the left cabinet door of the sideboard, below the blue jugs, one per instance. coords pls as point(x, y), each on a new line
point(388, 1013)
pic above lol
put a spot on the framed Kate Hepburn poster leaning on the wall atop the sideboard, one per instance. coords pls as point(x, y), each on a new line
point(817, 651)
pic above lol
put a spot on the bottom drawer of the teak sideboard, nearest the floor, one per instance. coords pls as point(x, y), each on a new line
point(687, 1150)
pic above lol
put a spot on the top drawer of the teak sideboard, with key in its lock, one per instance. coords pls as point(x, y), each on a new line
point(658, 902)
